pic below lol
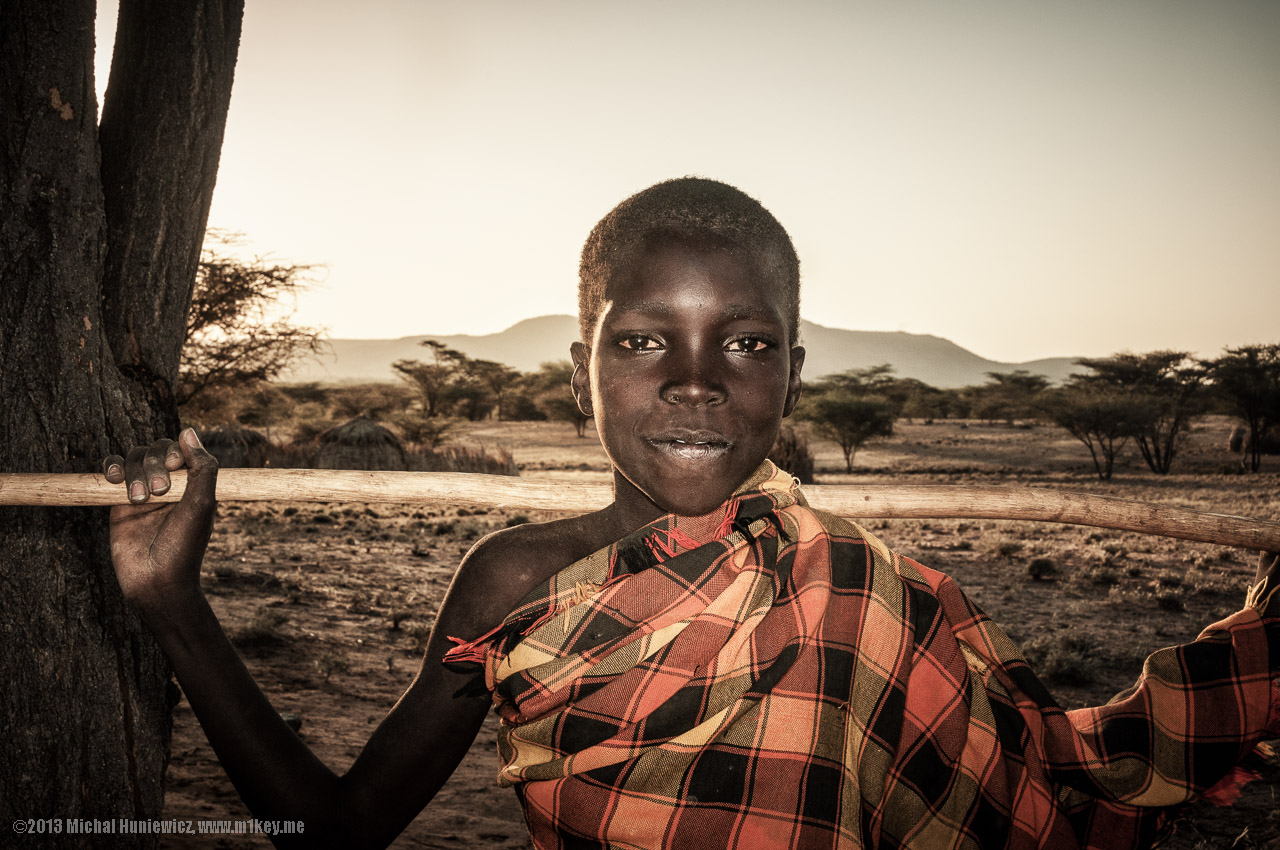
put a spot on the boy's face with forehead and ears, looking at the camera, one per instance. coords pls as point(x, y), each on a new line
point(691, 373)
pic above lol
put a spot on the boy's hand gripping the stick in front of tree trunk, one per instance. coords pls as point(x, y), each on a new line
point(158, 549)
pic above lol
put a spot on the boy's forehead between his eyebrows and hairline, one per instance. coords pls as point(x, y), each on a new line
point(687, 276)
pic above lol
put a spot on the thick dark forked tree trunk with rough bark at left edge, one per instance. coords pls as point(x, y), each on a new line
point(98, 245)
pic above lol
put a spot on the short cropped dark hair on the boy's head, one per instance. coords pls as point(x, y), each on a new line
point(687, 209)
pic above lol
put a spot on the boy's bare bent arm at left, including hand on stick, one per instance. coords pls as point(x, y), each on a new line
point(158, 551)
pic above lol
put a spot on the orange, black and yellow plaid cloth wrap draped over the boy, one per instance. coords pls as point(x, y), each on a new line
point(774, 677)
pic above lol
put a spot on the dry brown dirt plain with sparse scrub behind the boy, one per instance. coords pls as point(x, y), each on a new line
point(331, 604)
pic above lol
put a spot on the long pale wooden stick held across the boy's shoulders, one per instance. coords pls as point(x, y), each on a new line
point(879, 501)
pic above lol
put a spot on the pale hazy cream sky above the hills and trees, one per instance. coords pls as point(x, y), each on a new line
point(1027, 180)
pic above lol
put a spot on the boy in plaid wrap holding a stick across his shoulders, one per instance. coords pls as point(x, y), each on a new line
point(708, 662)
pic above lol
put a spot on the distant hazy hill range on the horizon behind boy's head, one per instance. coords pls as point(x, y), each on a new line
point(532, 342)
